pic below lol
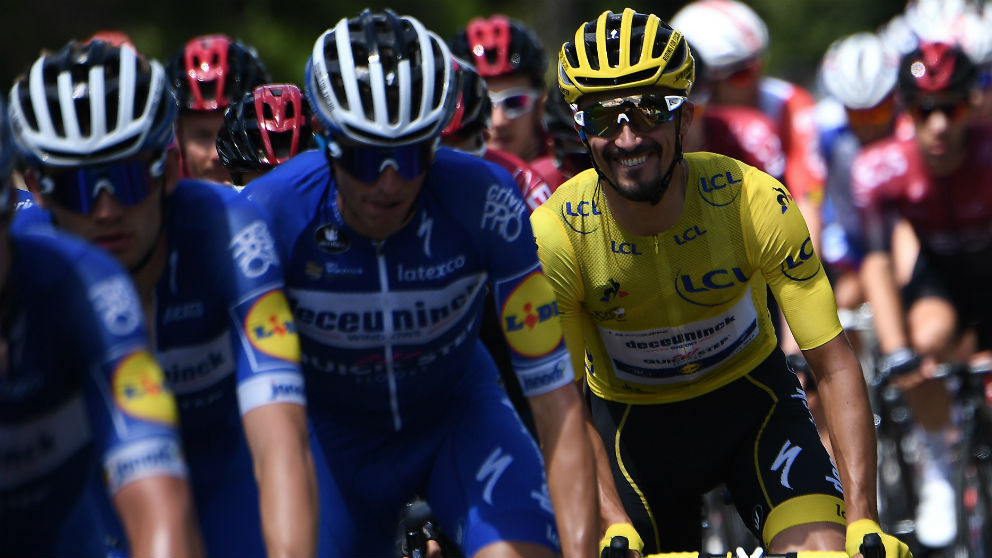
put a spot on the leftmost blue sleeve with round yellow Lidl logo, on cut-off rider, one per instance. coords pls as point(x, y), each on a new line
point(131, 414)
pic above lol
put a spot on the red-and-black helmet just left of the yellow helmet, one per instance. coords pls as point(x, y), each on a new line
point(500, 46)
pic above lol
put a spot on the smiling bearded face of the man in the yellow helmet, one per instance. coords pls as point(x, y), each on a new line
point(635, 160)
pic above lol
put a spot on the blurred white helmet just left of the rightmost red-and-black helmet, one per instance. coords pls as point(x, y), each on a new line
point(859, 70)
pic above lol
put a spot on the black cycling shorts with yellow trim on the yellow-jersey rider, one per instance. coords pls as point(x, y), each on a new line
point(755, 434)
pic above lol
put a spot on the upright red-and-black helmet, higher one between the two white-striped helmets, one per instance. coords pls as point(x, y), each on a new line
point(212, 71)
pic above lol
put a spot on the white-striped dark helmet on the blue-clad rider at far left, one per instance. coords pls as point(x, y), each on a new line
point(91, 103)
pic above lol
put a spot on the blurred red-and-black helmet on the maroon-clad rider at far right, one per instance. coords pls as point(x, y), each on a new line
point(934, 68)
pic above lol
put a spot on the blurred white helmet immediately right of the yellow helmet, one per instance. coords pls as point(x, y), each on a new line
point(725, 33)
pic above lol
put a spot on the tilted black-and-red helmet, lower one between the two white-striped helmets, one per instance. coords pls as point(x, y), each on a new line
point(265, 128)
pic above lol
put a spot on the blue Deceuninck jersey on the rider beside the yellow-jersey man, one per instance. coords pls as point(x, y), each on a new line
point(385, 325)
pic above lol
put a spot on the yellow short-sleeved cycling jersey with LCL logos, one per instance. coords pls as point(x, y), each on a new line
point(672, 316)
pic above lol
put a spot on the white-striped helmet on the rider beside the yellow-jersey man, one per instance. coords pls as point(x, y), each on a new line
point(381, 79)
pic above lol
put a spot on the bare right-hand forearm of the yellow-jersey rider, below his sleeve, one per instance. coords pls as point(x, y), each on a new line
point(841, 385)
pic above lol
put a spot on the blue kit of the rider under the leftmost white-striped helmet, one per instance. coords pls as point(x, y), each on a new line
point(225, 339)
